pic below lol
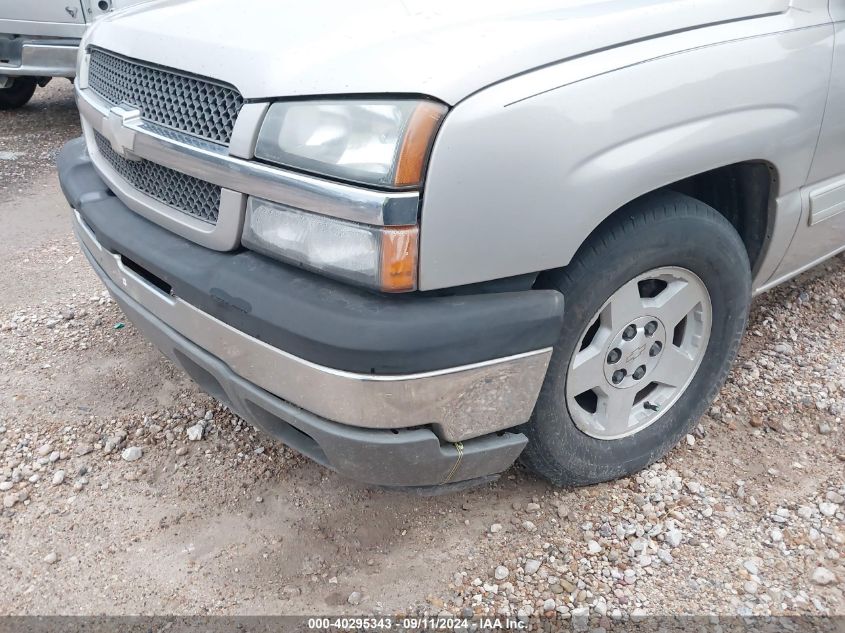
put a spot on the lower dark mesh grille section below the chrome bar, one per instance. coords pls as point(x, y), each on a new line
point(195, 197)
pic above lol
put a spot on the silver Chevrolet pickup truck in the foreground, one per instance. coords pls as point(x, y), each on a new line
point(417, 240)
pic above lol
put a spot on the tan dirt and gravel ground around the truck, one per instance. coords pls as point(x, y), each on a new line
point(121, 481)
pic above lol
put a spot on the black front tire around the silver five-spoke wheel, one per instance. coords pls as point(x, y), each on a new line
point(665, 229)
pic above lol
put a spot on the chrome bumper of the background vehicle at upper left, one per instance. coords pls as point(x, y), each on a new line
point(41, 58)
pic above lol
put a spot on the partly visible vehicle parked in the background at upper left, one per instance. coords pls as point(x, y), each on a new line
point(39, 40)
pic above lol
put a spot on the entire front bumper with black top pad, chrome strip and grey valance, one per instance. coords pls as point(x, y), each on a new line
point(223, 338)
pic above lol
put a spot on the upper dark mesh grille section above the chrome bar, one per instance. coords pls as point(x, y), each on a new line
point(193, 105)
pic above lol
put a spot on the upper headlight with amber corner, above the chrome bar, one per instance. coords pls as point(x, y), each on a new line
point(374, 142)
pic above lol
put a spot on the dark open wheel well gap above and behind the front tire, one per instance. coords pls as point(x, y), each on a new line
point(742, 193)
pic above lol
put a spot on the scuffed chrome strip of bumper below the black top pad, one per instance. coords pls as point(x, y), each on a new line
point(458, 402)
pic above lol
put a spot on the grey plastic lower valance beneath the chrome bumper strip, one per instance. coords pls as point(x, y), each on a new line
point(404, 458)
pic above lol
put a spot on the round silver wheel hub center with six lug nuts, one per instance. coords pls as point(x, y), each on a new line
point(633, 353)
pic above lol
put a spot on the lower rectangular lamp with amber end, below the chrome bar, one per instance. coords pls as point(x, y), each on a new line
point(384, 258)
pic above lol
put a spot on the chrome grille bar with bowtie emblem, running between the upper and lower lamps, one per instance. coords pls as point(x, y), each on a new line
point(216, 164)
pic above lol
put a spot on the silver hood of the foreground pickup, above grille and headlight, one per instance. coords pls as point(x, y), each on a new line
point(447, 49)
